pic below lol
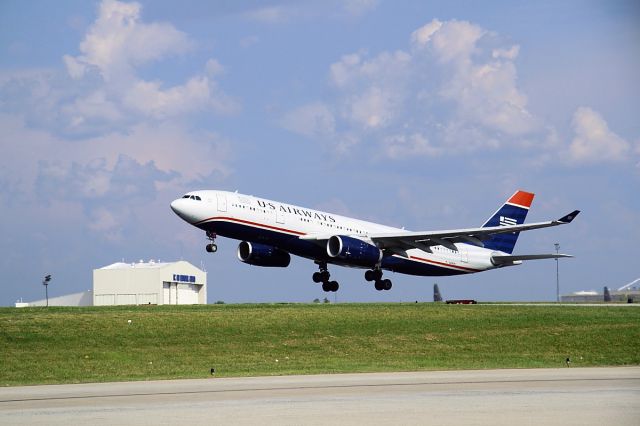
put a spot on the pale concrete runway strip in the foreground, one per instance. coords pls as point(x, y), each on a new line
point(580, 396)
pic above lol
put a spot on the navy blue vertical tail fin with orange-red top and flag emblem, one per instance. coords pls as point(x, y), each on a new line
point(513, 212)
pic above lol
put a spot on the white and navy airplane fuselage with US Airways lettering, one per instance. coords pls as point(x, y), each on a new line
point(288, 227)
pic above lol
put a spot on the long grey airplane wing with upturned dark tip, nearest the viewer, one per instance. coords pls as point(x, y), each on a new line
point(399, 242)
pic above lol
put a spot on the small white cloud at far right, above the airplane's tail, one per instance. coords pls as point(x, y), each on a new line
point(594, 142)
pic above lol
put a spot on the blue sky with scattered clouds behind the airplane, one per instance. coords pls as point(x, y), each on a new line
point(422, 114)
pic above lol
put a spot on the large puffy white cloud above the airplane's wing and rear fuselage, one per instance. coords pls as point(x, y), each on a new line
point(456, 87)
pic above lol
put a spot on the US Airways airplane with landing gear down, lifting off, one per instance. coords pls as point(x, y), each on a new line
point(270, 231)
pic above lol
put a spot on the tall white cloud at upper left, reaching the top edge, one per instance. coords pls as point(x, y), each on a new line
point(112, 94)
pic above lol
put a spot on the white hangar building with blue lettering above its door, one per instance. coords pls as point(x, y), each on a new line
point(154, 283)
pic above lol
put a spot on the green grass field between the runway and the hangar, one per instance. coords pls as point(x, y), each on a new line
point(73, 345)
